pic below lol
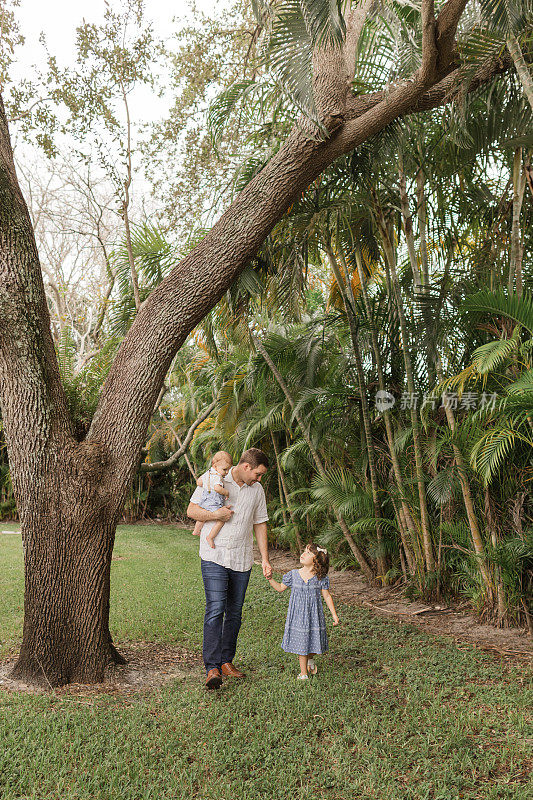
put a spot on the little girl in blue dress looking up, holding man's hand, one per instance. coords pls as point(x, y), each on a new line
point(305, 629)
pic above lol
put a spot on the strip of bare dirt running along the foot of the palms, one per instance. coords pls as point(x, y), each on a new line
point(447, 619)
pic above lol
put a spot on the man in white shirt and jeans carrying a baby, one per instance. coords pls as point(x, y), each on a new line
point(226, 568)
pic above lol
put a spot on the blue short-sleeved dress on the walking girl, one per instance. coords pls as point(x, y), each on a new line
point(305, 629)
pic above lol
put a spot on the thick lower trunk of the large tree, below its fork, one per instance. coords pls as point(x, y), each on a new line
point(68, 513)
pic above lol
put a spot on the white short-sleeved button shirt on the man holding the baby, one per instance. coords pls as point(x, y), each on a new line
point(234, 543)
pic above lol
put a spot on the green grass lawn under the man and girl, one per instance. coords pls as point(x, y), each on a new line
point(392, 714)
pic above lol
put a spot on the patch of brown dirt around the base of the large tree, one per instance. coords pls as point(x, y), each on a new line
point(149, 667)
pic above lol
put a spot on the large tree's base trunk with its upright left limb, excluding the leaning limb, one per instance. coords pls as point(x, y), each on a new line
point(65, 490)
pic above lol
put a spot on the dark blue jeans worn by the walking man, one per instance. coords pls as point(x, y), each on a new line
point(225, 590)
